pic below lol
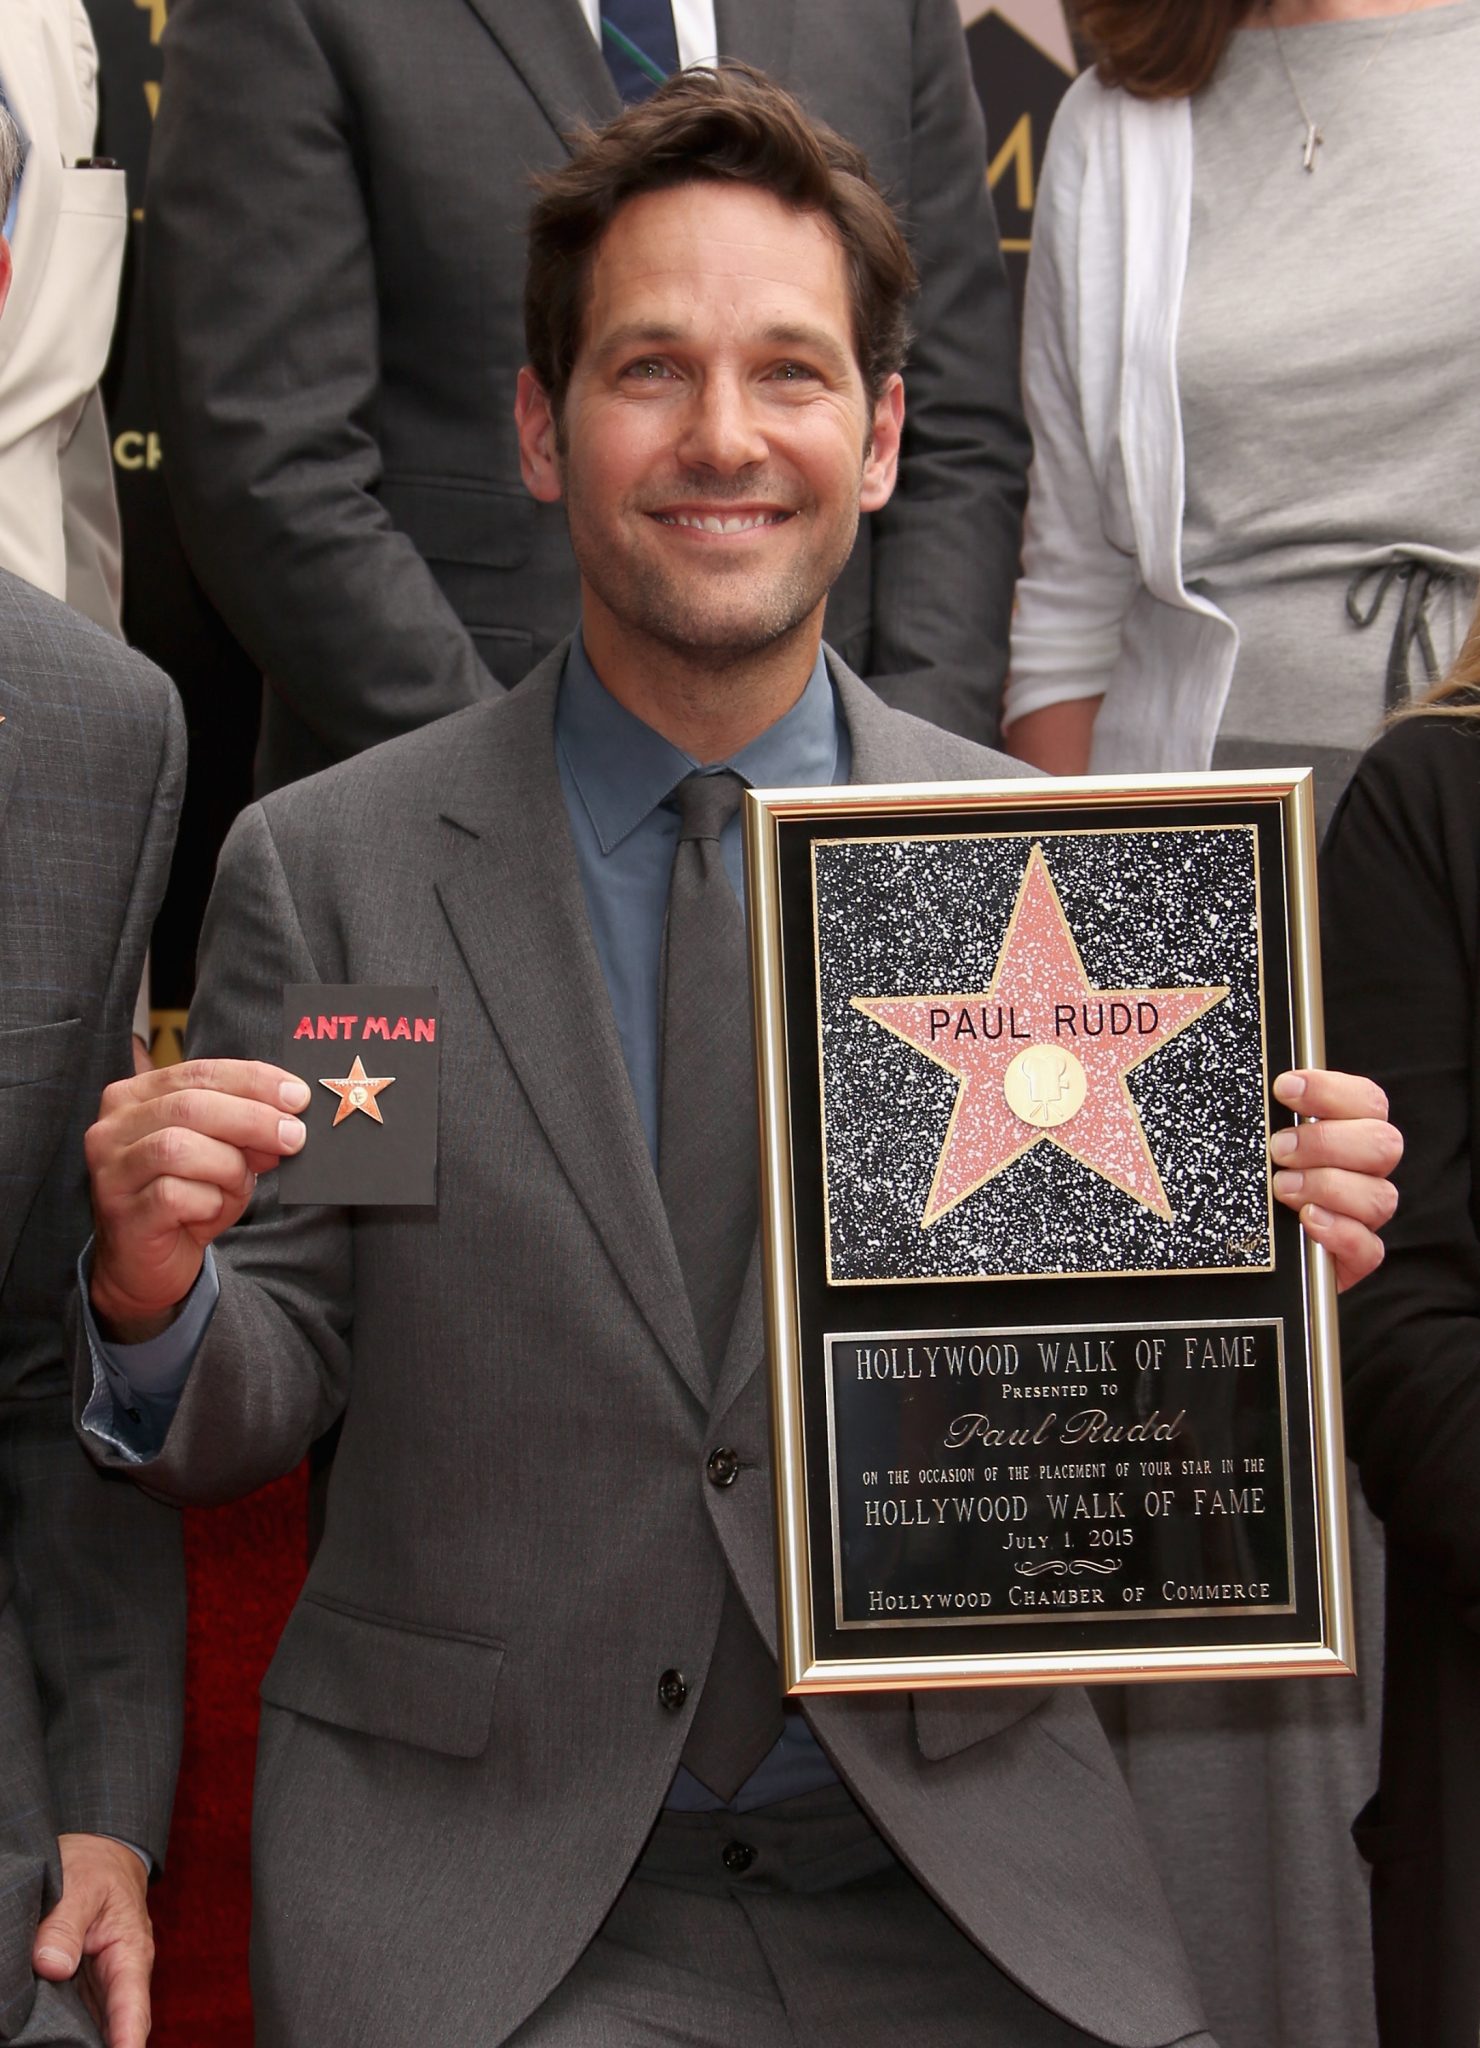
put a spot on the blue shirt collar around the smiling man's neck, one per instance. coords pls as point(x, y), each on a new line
point(623, 769)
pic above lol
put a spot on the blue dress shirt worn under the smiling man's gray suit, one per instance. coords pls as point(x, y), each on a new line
point(617, 777)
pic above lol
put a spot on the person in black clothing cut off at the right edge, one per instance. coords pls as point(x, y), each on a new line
point(1401, 890)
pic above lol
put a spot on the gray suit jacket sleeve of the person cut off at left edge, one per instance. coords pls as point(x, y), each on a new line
point(97, 1570)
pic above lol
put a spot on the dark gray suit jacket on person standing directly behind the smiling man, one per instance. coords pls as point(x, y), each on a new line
point(337, 267)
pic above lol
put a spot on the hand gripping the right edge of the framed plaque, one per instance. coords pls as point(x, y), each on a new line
point(1336, 1168)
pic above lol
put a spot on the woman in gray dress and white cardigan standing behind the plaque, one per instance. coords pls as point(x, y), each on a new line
point(1252, 531)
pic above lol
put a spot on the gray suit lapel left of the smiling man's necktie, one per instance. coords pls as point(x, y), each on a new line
point(513, 894)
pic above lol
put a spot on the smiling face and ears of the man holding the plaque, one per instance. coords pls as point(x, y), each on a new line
point(717, 441)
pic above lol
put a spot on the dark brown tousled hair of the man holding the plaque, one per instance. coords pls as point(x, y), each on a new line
point(724, 126)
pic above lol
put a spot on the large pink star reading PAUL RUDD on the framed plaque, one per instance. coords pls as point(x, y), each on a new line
point(1041, 1056)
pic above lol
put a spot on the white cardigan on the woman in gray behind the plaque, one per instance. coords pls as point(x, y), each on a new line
point(1102, 607)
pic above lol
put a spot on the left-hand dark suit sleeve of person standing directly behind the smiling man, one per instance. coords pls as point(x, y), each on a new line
point(265, 345)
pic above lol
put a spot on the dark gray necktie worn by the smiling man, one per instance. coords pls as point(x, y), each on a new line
point(707, 1172)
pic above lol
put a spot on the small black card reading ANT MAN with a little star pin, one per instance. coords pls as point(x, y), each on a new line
point(372, 1060)
